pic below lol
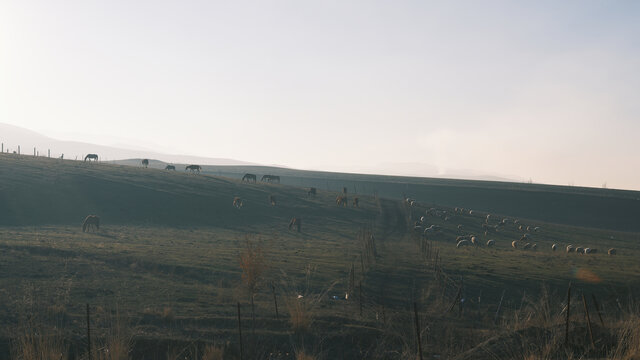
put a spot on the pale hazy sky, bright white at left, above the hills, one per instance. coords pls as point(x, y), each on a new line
point(547, 90)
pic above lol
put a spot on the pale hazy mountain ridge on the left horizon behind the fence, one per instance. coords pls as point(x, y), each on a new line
point(13, 137)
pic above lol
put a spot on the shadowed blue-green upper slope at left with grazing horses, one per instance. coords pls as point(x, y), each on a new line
point(37, 190)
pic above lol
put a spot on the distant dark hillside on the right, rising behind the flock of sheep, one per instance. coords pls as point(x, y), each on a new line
point(570, 205)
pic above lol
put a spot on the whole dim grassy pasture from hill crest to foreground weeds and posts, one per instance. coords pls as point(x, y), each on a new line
point(165, 267)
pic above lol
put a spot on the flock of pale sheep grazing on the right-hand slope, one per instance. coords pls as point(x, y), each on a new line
point(525, 242)
